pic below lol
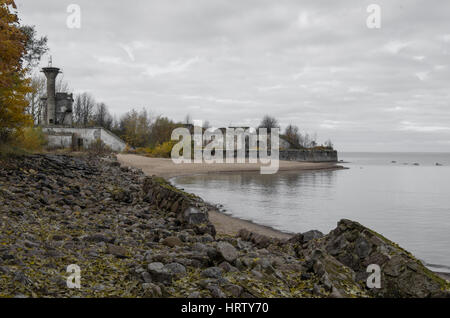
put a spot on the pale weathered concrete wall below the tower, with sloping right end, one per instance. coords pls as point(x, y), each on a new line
point(88, 135)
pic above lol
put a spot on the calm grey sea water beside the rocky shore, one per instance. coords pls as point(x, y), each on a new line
point(409, 204)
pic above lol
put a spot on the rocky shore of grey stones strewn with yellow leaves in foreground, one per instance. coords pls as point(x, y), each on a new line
point(138, 236)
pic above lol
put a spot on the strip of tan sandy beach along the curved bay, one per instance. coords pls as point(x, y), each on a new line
point(224, 224)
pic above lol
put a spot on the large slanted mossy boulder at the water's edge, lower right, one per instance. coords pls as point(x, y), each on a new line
point(356, 247)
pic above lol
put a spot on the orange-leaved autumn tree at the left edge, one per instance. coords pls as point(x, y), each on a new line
point(14, 84)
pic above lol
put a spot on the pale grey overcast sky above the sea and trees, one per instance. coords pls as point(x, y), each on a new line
point(311, 63)
